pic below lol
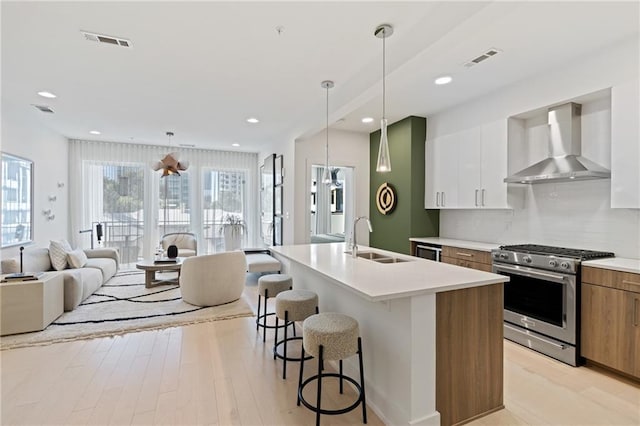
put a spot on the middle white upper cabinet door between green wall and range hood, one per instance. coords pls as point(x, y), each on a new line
point(469, 168)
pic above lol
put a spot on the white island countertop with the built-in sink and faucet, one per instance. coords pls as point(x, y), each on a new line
point(376, 281)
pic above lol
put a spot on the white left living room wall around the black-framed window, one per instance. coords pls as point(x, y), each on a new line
point(49, 152)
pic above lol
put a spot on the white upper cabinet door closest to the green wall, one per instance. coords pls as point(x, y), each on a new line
point(441, 169)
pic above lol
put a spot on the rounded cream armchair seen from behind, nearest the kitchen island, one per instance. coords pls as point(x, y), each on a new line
point(213, 279)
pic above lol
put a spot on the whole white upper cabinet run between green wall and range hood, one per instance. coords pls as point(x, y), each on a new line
point(465, 170)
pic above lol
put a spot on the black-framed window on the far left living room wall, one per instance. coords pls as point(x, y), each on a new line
point(17, 200)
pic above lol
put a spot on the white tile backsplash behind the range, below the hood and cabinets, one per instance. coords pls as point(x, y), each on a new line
point(569, 214)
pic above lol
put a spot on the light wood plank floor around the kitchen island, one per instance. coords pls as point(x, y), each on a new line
point(221, 373)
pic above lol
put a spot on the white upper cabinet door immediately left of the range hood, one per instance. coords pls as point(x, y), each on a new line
point(493, 191)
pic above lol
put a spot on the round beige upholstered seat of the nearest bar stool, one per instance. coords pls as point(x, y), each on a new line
point(337, 333)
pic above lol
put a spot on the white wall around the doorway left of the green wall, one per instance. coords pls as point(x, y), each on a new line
point(346, 149)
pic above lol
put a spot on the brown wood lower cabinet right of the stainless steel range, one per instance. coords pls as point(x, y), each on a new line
point(610, 329)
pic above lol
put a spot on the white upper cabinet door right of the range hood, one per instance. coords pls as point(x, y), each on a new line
point(625, 146)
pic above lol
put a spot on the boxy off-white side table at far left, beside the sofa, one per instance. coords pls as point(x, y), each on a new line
point(31, 305)
